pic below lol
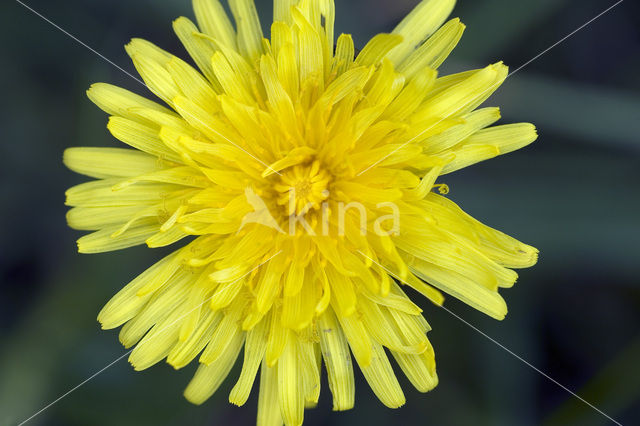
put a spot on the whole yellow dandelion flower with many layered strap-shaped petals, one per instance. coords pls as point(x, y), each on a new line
point(303, 177)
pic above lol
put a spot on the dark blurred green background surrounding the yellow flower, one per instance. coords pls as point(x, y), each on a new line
point(574, 194)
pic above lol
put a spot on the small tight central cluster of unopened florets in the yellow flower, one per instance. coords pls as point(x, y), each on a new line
point(303, 187)
